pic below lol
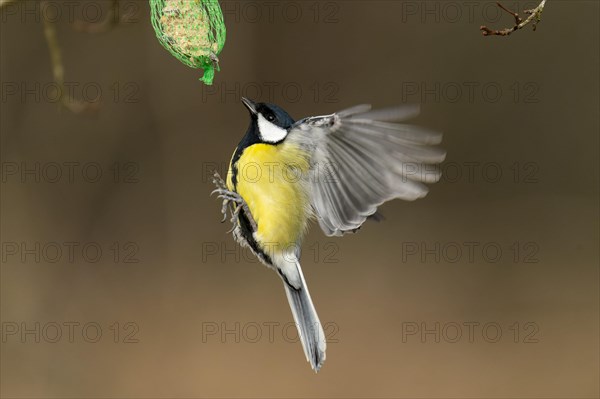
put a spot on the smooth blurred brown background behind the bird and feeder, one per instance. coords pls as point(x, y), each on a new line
point(532, 116)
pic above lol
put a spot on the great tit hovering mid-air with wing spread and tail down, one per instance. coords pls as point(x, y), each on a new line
point(336, 169)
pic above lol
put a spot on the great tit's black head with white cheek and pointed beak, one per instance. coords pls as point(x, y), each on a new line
point(270, 121)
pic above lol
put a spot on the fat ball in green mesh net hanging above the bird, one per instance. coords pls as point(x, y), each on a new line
point(192, 30)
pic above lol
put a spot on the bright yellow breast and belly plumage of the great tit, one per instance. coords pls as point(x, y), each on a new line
point(273, 182)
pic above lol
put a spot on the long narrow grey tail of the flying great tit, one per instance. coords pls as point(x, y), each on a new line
point(308, 324)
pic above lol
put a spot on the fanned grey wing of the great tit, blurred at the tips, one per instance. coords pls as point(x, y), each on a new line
point(360, 159)
